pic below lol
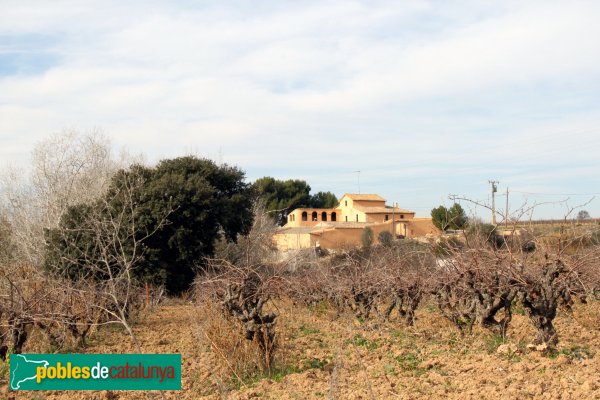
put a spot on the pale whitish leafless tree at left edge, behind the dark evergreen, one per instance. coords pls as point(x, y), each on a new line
point(66, 169)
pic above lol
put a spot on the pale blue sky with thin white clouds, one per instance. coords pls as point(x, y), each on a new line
point(426, 99)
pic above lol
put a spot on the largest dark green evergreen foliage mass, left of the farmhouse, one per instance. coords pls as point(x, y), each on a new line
point(179, 210)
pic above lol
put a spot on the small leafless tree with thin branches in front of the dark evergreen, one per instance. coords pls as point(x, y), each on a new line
point(106, 247)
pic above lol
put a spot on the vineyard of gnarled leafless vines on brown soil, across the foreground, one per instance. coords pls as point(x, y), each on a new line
point(477, 315)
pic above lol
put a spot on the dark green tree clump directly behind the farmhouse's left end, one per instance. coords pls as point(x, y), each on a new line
point(281, 197)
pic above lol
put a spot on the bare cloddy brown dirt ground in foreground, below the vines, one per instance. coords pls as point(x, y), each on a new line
point(340, 358)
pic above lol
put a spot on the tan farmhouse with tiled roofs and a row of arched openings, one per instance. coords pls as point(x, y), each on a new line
point(343, 225)
